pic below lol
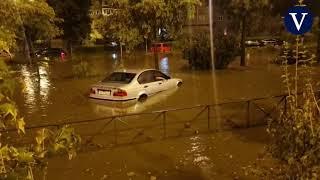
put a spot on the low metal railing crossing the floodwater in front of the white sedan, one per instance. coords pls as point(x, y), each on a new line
point(157, 125)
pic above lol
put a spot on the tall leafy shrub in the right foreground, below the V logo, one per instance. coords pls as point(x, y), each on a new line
point(296, 133)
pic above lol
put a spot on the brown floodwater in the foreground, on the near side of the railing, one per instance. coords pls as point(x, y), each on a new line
point(203, 157)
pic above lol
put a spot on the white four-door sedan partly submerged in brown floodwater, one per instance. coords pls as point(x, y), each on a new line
point(133, 84)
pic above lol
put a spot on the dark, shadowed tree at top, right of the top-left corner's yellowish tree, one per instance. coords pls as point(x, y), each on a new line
point(76, 23)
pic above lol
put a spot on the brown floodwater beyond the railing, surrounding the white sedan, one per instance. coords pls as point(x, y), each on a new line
point(52, 94)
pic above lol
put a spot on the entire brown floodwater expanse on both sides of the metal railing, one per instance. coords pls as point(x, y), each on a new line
point(51, 94)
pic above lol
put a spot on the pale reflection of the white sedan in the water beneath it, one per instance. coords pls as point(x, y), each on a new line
point(117, 108)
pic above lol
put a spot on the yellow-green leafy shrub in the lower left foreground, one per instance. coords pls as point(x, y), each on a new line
point(21, 161)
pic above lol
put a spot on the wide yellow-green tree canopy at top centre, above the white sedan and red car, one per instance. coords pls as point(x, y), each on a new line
point(135, 20)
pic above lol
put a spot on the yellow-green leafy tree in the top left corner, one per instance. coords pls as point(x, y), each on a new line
point(26, 21)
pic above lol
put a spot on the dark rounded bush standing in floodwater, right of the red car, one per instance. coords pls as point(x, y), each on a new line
point(197, 51)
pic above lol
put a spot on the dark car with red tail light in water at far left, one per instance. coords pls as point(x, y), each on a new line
point(50, 53)
